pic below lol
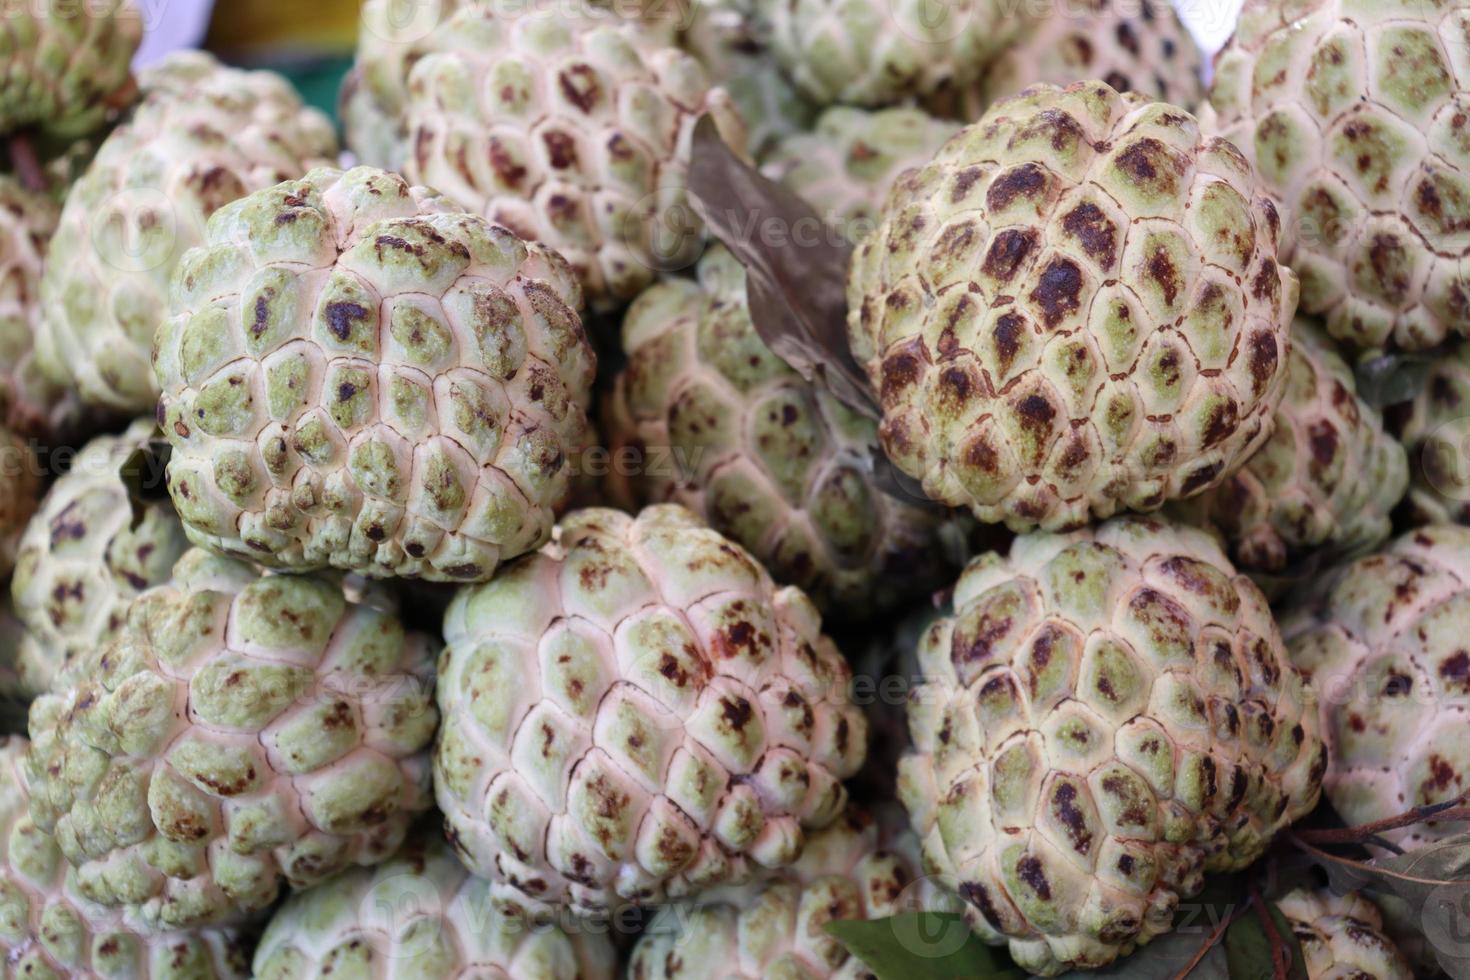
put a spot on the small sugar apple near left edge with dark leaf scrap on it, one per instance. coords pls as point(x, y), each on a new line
point(105, 534)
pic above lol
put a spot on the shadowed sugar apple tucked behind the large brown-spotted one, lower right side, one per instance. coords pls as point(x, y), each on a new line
point(1327, 480)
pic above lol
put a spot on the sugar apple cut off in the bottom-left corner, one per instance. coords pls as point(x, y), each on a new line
point(49, 931)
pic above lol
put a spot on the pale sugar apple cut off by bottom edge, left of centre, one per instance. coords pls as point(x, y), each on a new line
point(423, 918)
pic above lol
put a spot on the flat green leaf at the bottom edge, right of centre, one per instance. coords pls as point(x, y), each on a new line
point(931, 945)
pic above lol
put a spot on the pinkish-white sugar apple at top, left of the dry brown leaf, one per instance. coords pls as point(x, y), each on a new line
point(571, 130)
